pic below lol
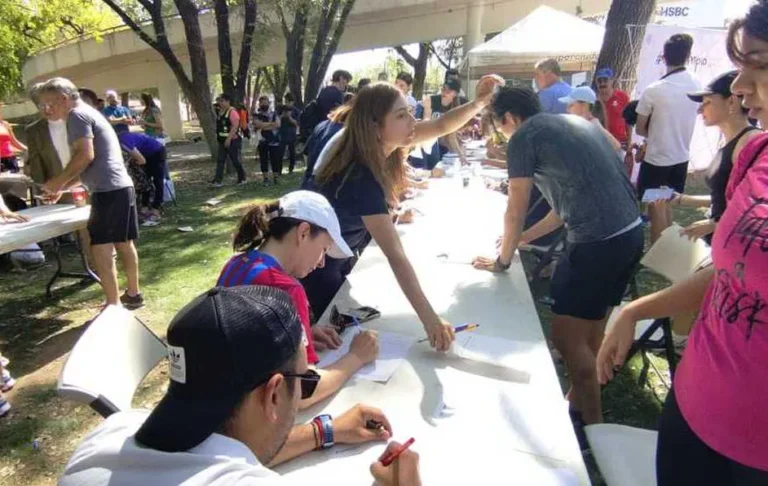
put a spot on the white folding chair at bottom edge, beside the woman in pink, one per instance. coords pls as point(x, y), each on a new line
point(626, 456)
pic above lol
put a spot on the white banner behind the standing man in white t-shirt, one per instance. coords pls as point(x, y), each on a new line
point(708, 60)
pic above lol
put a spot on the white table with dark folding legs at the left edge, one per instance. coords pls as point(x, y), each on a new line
point(48, 223)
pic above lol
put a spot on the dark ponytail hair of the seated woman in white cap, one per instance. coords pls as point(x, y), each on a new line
point(265, 221)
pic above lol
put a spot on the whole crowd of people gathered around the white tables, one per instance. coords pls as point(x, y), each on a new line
point(569, 148)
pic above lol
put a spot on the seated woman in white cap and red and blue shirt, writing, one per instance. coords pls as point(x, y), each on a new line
point(285, 240)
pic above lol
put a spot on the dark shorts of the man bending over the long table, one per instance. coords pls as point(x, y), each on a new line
point(591, 277)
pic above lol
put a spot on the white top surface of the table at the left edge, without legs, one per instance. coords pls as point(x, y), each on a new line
point(45, 222)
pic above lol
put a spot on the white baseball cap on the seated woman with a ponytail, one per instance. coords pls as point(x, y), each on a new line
point(314, 208)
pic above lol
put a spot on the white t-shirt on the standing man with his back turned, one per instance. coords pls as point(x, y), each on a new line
point(673, 117)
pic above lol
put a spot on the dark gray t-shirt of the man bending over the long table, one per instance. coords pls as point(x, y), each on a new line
point(578, 172)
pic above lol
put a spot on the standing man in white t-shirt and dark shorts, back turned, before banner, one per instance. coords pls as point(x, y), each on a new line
point(666, 117)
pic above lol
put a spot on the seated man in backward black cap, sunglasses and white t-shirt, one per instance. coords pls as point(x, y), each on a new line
point(238, 369)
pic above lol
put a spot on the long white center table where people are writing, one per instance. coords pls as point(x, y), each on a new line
point(509, 425)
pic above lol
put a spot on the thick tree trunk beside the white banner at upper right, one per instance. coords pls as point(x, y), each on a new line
point(618, 53)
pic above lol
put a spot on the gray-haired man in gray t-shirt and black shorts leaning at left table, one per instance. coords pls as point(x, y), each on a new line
point(97, 160)
